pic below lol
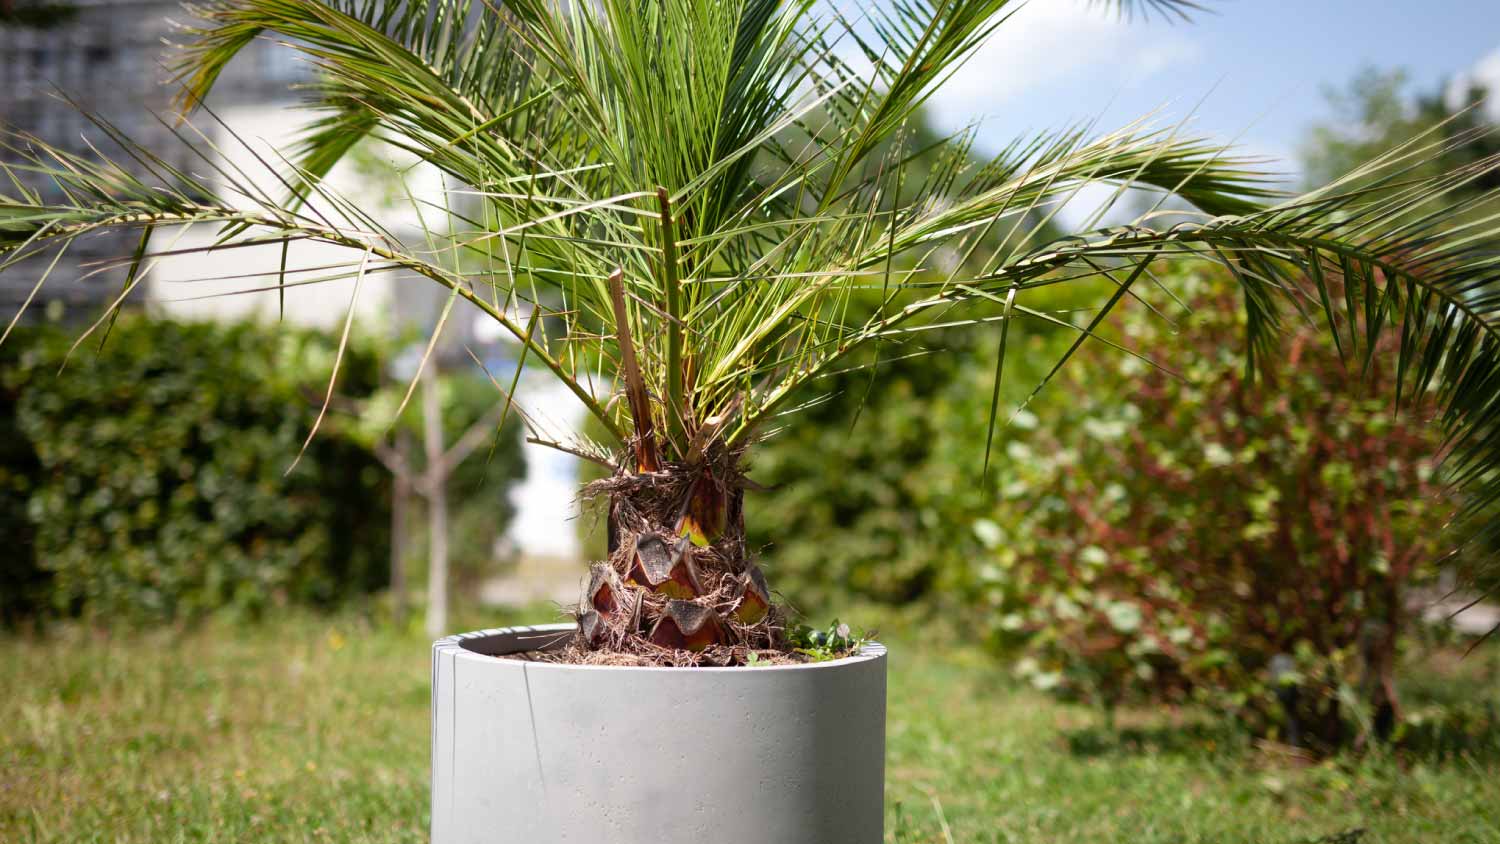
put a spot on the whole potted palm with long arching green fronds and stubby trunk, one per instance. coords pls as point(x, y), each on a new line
point(707, 206)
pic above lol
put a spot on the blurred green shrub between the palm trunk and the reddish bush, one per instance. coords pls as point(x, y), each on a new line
point(872, 495)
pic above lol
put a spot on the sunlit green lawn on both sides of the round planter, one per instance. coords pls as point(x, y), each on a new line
point(316, 729)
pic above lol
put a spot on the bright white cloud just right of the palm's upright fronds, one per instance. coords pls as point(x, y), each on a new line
point(1051, 43)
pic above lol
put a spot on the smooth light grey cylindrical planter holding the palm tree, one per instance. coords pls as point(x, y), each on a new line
point(536, 753)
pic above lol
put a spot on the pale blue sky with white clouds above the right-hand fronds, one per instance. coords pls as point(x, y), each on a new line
point(1267, 65)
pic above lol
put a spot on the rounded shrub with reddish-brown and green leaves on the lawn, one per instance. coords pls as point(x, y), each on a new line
point(1211, 539)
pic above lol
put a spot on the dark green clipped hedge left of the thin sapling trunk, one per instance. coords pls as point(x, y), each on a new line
point(146, 482)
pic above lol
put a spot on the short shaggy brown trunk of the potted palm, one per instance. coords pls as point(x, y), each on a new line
point(679, 579)
